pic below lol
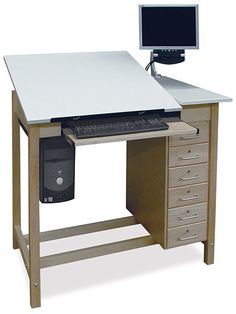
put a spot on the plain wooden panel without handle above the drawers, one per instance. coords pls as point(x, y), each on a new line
point(195, 114)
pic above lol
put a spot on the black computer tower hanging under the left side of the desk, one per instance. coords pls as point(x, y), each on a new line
point(57, 169)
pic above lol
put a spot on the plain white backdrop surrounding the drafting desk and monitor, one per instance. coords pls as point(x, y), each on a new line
point(148, 280)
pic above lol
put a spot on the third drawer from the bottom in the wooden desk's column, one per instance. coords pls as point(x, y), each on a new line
point(187, 195)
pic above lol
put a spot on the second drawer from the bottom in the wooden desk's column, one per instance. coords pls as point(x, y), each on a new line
point(187, 214)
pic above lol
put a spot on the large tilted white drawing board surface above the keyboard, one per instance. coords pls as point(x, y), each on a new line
point(77, 84)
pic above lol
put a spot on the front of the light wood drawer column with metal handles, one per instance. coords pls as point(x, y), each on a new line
point(188, 184)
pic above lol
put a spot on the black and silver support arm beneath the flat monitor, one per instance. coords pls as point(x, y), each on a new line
point(167, 56)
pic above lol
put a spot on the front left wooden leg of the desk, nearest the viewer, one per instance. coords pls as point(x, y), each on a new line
point(34, 230)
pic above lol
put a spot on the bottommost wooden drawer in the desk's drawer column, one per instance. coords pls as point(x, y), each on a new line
point(187, 234)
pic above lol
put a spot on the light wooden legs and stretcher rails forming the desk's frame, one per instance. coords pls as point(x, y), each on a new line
point(29, 245)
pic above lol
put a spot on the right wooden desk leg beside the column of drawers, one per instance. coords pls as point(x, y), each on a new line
point(209, 244)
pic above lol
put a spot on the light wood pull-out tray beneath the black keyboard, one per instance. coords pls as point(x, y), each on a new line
point(175, 128)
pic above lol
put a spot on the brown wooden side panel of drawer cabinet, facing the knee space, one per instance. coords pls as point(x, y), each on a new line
point(146, 188)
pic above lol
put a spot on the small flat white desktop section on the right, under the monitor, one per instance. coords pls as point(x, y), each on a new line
point(187, 94)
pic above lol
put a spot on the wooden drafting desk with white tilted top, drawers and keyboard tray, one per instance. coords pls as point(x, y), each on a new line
point(171, 174)
